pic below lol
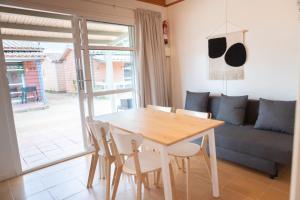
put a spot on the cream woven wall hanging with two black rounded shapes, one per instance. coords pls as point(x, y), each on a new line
point(227, 56)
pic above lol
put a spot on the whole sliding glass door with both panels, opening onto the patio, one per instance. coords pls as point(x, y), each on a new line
point(59, 70)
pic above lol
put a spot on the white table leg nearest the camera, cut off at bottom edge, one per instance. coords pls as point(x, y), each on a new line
point(166, 174)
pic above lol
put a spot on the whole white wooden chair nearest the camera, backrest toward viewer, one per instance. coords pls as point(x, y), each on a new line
point(137, 163)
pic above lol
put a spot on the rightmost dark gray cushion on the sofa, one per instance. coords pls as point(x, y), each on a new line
point(276, 116)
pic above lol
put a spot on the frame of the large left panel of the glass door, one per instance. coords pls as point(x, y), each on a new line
point(14, 147)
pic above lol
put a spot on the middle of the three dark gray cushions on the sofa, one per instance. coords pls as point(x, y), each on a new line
point(232, 109)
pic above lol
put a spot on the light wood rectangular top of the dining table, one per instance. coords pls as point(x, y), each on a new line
point(162, 127)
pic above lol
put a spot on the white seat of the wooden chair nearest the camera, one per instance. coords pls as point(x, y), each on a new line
point(149, 161)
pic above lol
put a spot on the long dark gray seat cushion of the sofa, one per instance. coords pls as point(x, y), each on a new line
point(268, 145)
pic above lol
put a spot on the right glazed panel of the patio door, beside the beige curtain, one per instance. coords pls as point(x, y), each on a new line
point(111, 54)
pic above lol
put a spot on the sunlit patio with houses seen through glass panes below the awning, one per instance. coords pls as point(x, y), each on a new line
point(43, 90)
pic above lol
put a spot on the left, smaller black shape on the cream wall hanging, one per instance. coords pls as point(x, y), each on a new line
point(217, 47)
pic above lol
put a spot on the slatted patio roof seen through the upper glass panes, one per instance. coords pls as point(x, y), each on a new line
point(33, 26)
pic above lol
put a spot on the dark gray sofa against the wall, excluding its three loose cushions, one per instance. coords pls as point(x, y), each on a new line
point(258, 149)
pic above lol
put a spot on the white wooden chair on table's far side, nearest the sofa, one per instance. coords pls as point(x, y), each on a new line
point(189, 149)
